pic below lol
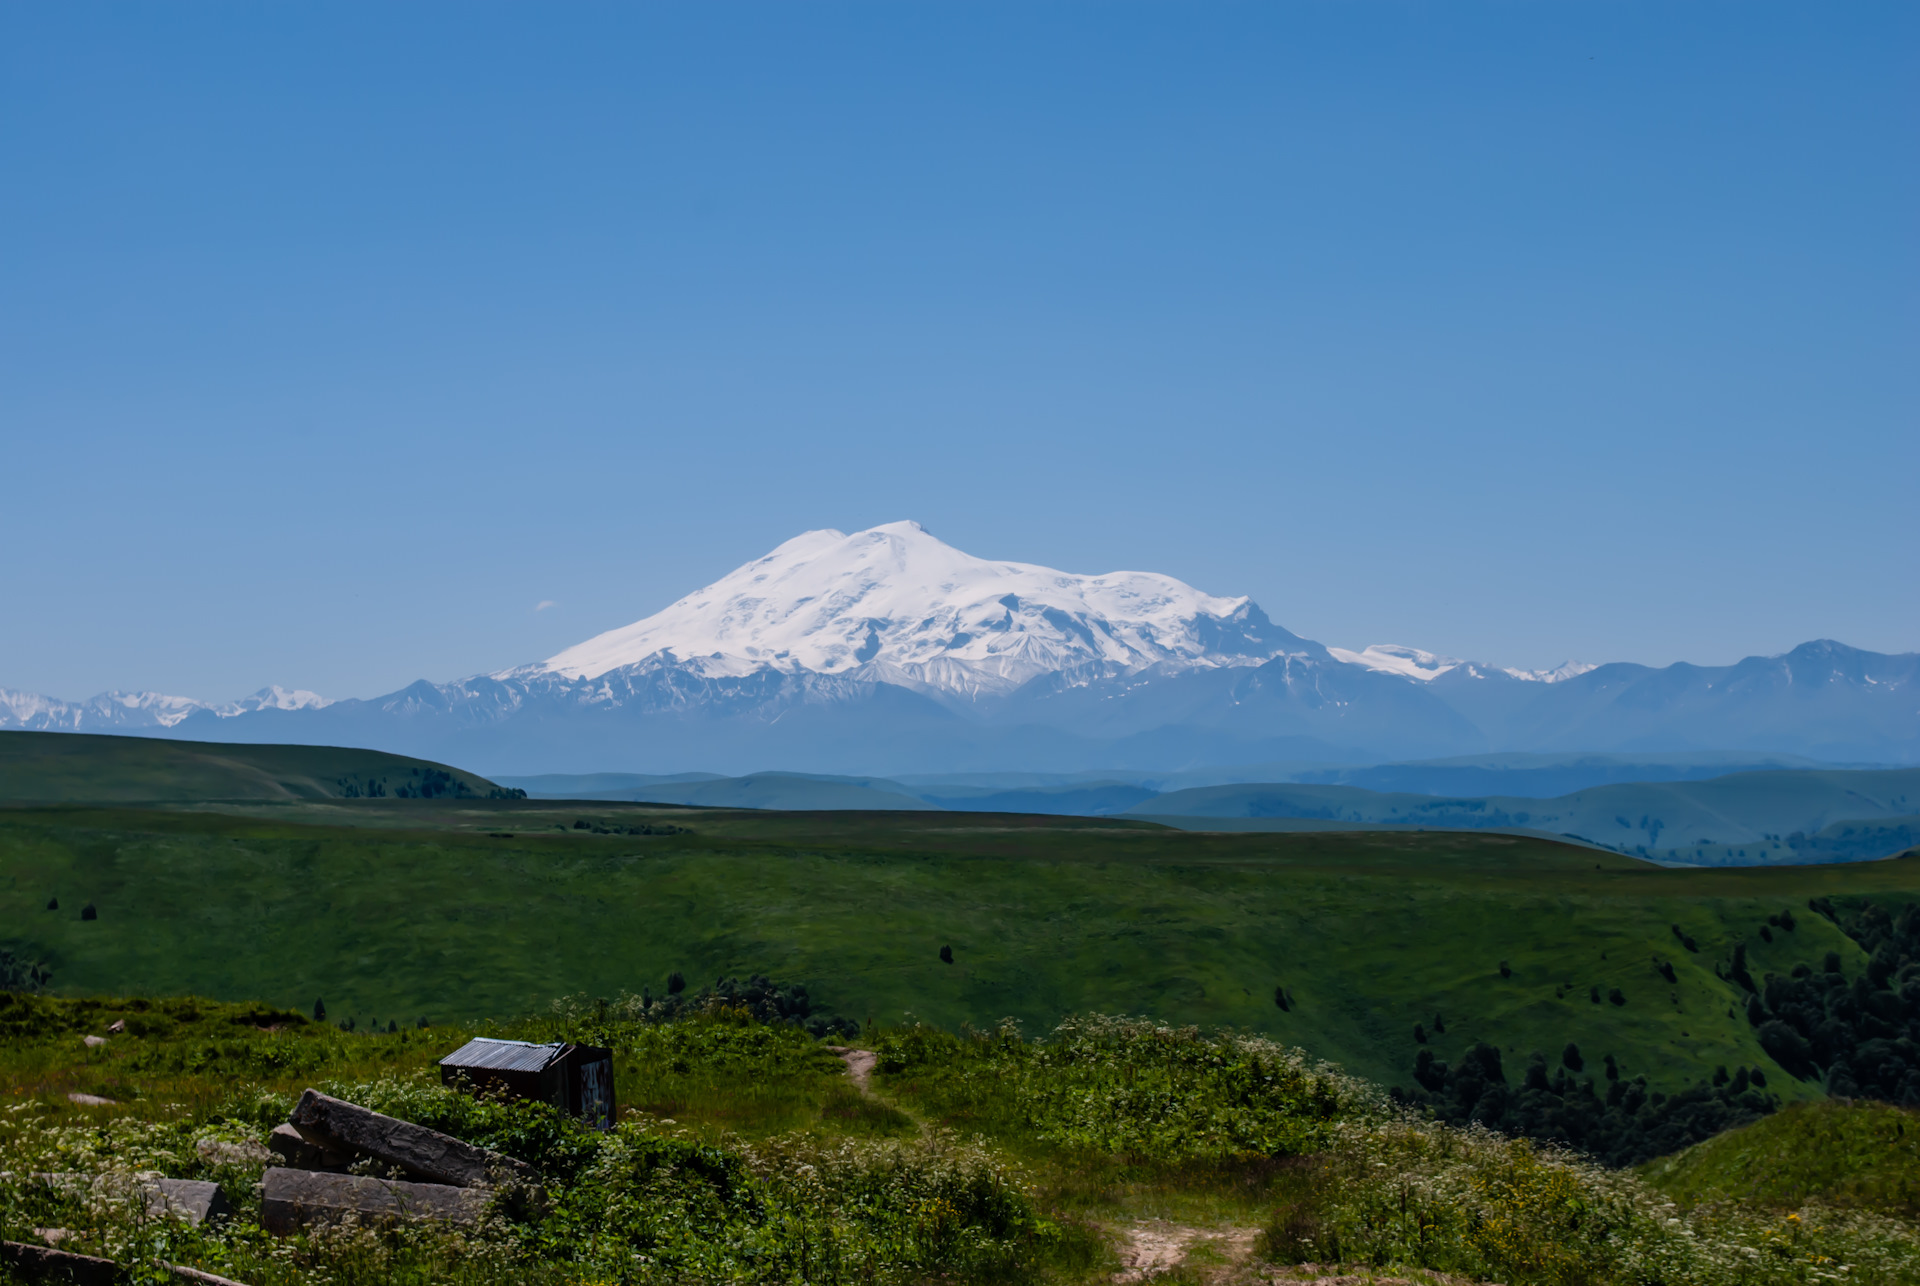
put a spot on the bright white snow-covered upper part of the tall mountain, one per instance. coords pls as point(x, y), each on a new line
point(898, 606)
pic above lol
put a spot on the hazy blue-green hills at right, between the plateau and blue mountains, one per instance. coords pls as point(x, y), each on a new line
point(1760, 817)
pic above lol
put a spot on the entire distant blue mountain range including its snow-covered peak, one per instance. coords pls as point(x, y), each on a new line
point(892, 652)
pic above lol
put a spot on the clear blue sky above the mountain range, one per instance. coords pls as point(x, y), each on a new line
point(335, 339)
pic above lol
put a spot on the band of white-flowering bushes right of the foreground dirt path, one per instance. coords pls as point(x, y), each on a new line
point(1358, 1179)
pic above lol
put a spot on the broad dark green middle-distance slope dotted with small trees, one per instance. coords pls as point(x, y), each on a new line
point(404, 909)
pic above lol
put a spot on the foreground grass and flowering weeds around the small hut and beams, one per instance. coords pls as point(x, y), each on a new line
point(746, 1156)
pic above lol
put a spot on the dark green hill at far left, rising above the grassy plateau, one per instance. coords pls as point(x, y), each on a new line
point(122, 771)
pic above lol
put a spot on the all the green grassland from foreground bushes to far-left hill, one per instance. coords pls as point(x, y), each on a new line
point(1101, 1049)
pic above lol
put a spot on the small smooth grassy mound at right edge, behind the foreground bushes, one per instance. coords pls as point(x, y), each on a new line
point(1833, 1153)
